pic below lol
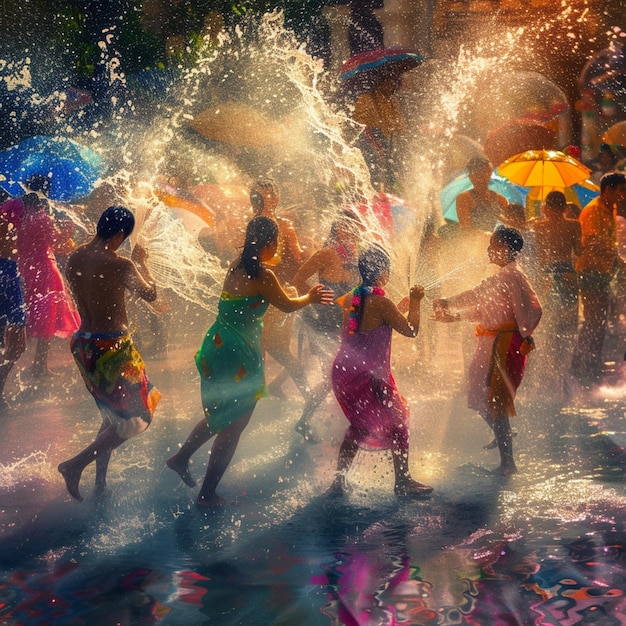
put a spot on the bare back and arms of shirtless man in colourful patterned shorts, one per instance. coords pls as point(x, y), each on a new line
point(99, 277)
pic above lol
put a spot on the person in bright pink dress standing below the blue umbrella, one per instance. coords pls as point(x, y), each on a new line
point(50, 311)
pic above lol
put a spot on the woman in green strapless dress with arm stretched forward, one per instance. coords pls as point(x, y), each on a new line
point(230, 360)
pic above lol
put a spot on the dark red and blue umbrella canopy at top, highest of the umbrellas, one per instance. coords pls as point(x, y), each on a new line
point(367, 70)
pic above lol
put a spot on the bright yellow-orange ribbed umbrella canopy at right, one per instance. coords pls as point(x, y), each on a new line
point(544, 168)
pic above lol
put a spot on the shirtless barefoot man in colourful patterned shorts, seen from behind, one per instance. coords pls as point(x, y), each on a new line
point(110, 365)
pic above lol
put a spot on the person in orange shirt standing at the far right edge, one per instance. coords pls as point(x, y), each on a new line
point(595, 268)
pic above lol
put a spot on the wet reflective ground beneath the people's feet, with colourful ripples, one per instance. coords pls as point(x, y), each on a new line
point(543, 547)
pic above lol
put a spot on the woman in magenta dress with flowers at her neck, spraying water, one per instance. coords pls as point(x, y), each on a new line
point(362, 378)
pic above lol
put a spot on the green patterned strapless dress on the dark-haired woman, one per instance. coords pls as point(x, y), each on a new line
point(230, 362)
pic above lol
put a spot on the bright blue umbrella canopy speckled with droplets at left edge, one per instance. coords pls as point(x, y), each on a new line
point(72, 169)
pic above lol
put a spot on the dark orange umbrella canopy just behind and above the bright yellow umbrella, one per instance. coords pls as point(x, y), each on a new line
point(515, 137)
